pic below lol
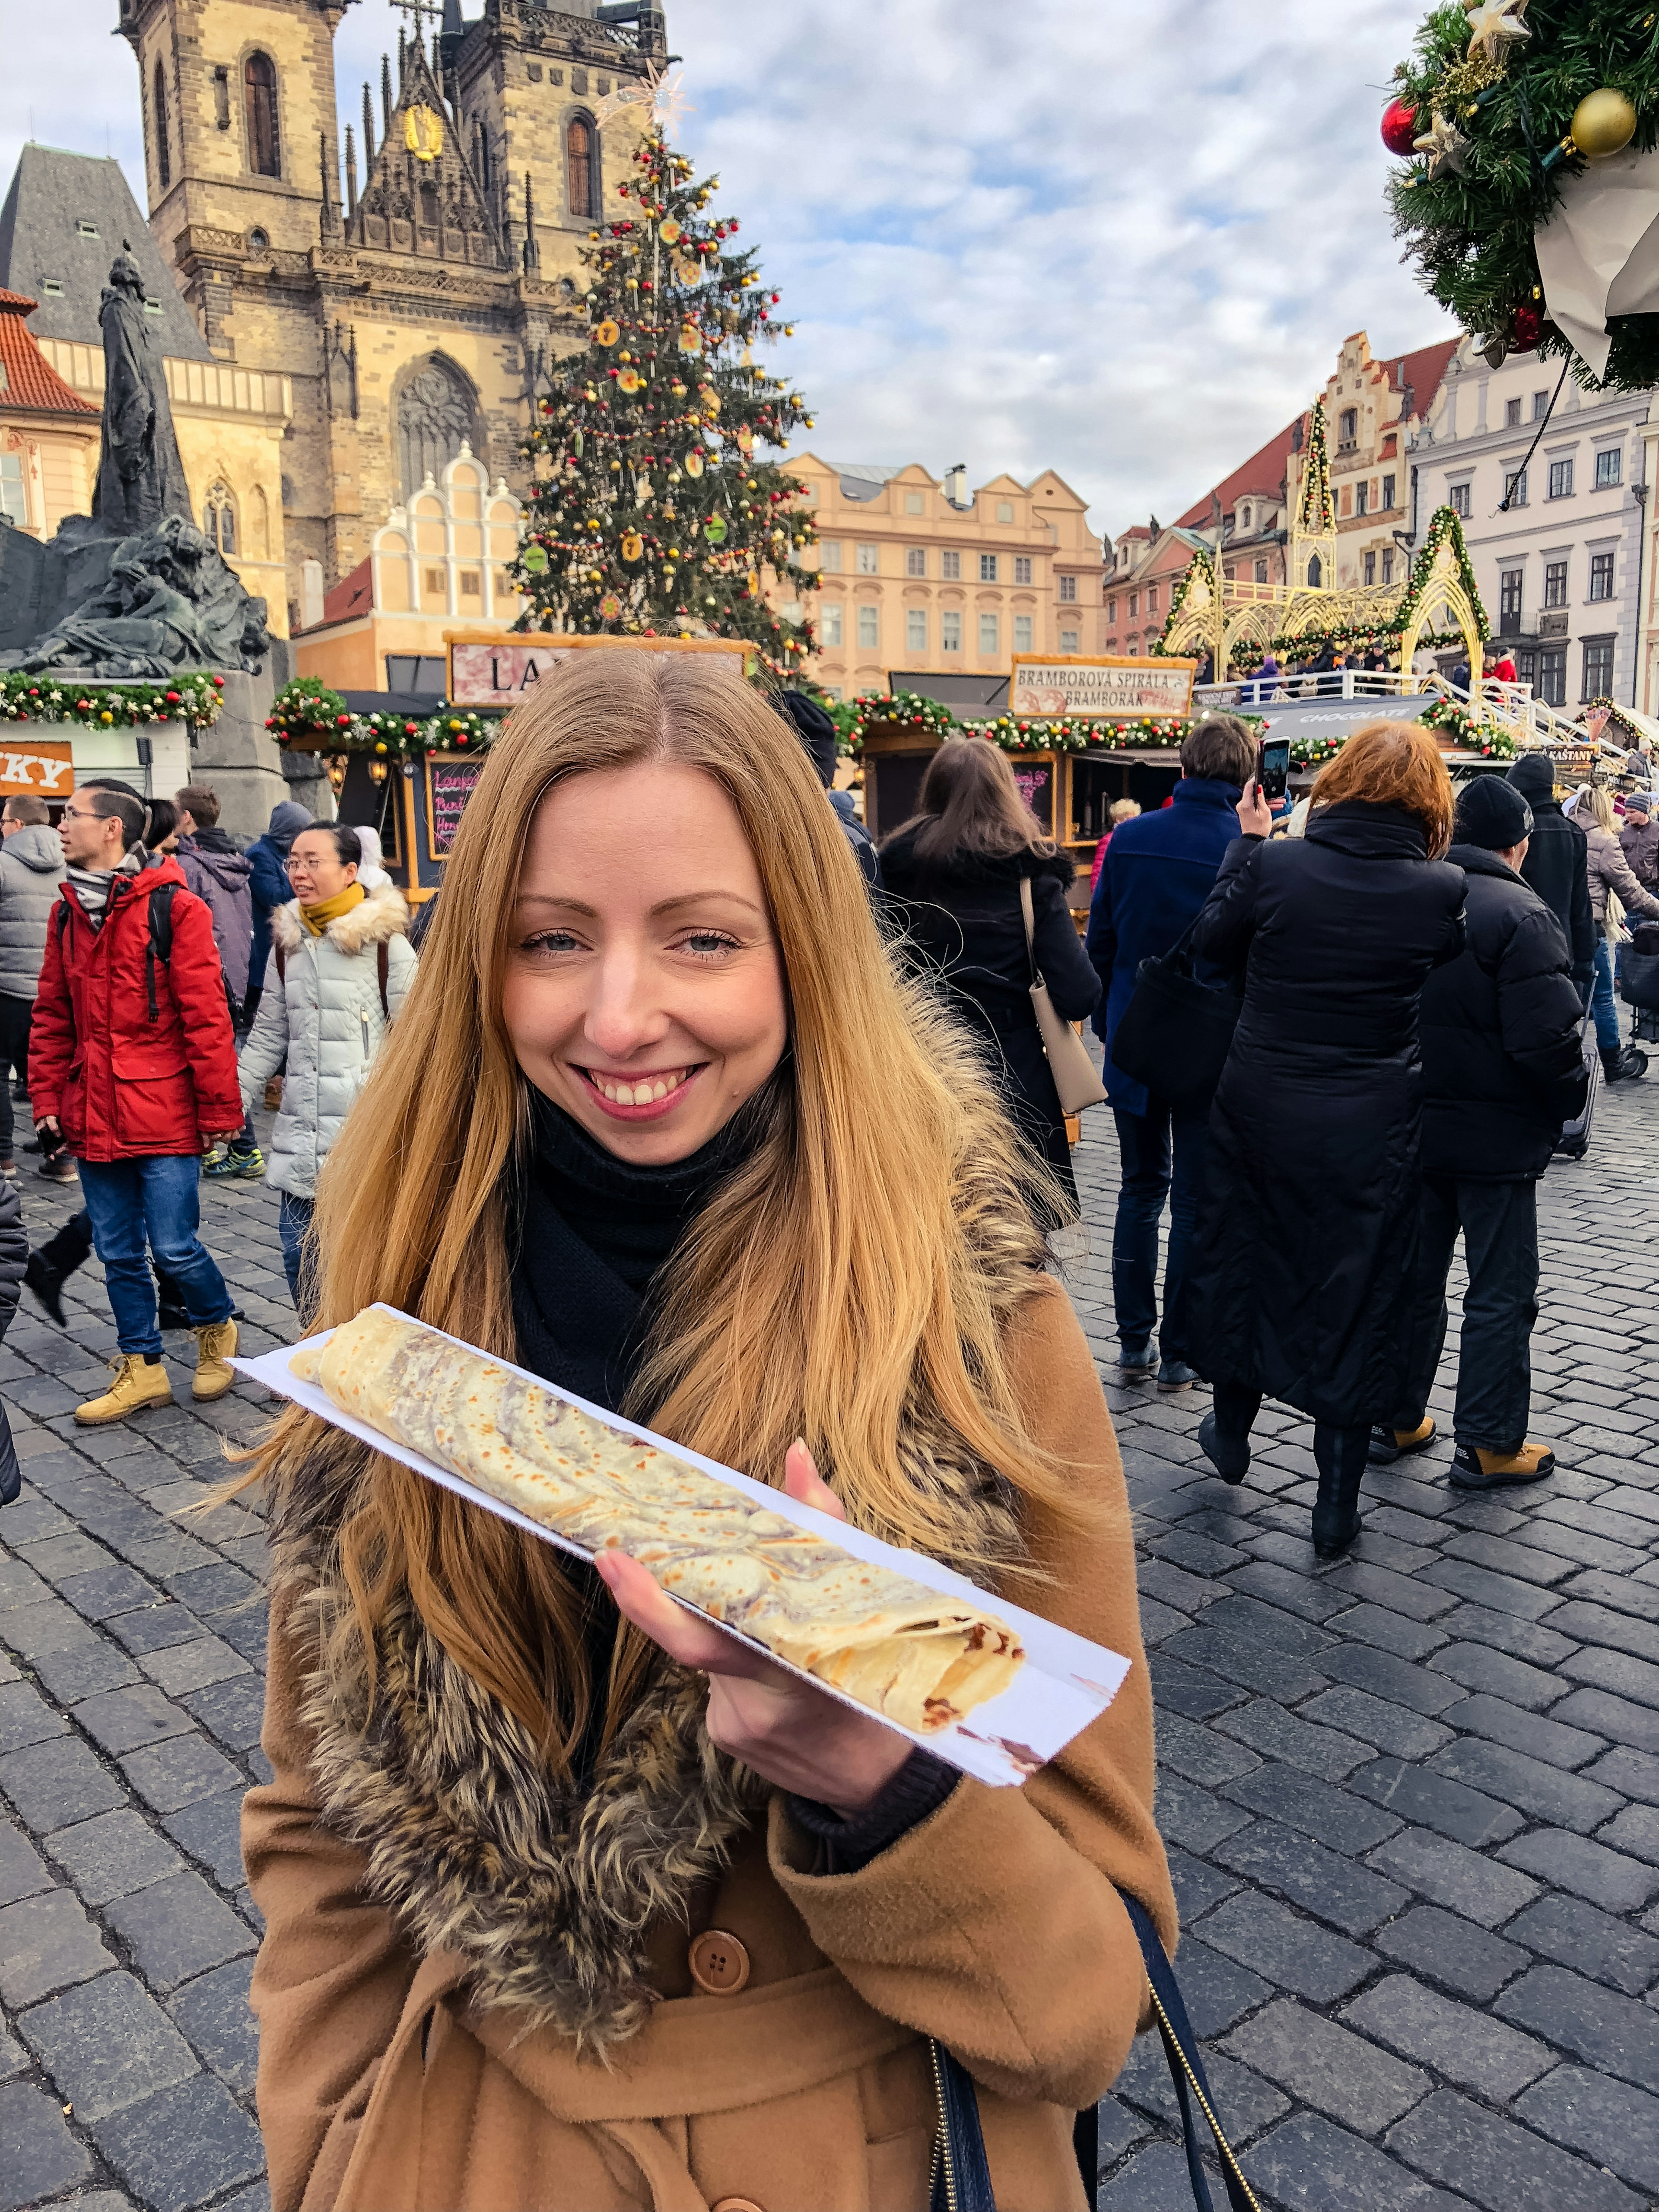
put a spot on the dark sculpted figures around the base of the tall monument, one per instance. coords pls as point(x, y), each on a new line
point(169, 603)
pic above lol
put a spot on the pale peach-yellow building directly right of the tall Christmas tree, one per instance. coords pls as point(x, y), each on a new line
point(921, 576)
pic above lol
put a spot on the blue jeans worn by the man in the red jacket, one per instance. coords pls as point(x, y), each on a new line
point(132, 1200)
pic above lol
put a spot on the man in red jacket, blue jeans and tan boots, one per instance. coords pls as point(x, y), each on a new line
point(134, 1067)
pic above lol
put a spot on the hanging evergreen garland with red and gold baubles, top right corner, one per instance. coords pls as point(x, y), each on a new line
point(1472, 231)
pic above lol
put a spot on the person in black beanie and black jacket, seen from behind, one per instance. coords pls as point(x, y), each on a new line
point(1501, 1074)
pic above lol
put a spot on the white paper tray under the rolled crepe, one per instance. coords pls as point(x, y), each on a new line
point(1063, 1687)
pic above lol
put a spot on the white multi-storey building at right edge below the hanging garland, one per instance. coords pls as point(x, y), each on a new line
point(1561, 570)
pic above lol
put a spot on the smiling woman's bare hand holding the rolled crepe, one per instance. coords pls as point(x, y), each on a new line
point(789, 1731)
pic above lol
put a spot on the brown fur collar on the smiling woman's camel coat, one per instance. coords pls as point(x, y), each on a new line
point(545, 1892)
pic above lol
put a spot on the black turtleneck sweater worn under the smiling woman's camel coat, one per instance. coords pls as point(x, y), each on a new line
point(594, 1238)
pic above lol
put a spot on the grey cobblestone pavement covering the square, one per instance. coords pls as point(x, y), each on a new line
point(1412, 1799)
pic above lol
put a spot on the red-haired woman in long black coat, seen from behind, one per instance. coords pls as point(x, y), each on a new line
point(1308, 1233)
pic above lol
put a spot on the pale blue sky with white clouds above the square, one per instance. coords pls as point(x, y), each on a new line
point(1103, 238)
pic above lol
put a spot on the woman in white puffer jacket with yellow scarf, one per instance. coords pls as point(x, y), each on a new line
point(342, 970)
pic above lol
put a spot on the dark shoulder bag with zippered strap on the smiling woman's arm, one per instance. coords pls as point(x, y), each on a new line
point(961, 2180)
